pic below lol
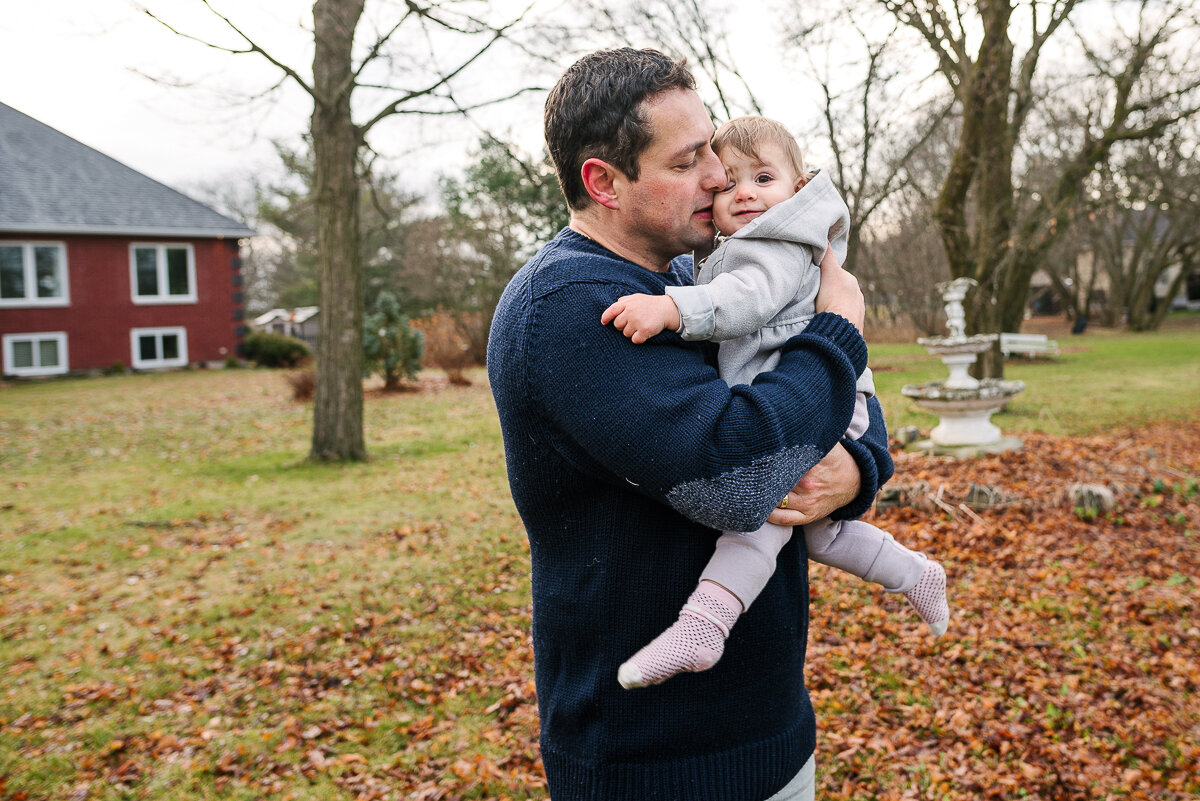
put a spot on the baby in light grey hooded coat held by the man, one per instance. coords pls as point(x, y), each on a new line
point(754, 293)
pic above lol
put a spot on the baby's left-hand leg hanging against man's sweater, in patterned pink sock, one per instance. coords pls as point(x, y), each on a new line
point(734, 579)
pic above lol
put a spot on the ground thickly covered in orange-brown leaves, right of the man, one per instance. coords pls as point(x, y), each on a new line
point(1071, 670)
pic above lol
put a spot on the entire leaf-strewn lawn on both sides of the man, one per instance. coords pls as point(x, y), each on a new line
point(191, 611)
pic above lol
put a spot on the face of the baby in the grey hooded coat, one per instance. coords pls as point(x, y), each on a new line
point(754, 186)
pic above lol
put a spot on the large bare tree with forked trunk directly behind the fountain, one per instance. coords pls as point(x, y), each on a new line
point(1143, 63)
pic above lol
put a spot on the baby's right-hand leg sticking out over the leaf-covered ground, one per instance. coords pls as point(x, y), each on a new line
point(873, 555)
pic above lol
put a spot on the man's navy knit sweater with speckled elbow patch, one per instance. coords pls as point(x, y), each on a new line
point(625, 462)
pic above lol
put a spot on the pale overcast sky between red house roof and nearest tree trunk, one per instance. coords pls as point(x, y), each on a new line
point(73, 65)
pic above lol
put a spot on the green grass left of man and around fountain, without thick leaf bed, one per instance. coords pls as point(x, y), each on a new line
point(189, 610)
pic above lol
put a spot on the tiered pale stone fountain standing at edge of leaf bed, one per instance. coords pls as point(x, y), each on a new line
point(963, 403)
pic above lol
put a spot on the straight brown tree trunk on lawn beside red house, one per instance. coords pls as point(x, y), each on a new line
point(338, 407)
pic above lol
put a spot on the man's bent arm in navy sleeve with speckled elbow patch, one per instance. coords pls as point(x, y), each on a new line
point(658, 418)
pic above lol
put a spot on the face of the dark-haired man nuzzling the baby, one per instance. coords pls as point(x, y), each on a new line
point(669, 209)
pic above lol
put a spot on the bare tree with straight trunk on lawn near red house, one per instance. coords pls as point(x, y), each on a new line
point(400, 67)
